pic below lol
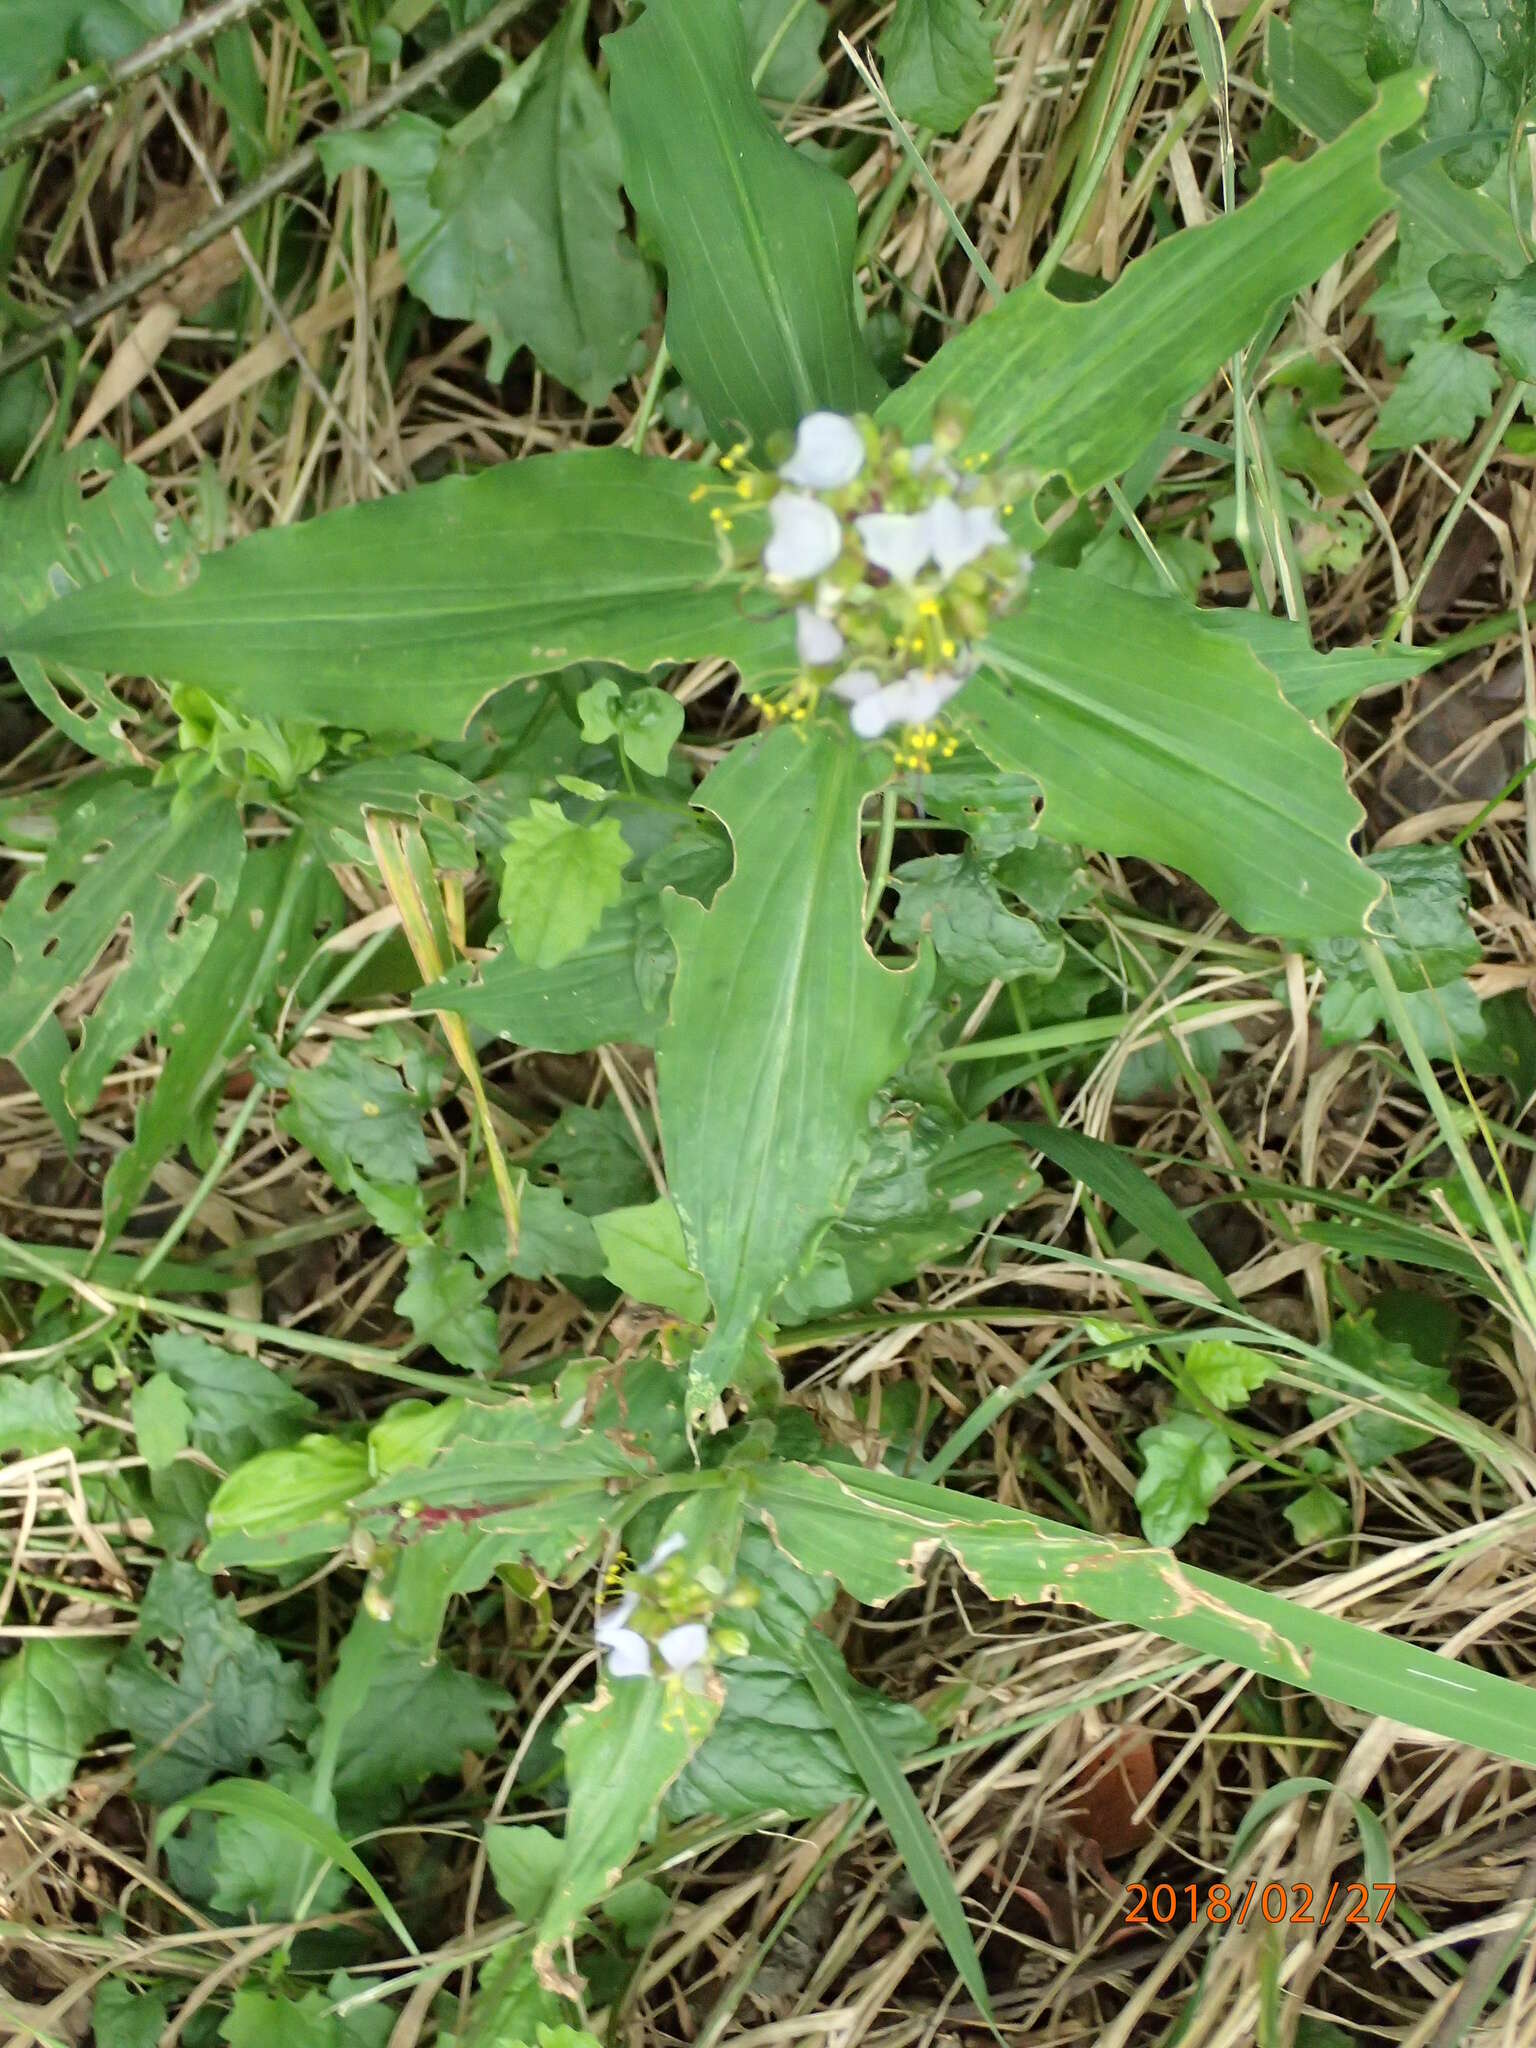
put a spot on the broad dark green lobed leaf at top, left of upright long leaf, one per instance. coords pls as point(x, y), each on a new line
point(515, 218)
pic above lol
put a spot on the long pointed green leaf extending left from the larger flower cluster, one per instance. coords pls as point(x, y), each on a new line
point(402, 617)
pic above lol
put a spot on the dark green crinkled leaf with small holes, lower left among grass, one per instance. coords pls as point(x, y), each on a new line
point(200, 1691)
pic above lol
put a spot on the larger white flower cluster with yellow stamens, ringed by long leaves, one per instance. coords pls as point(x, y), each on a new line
point(896, 560)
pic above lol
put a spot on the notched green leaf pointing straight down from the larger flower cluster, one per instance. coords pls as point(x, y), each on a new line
point(781, 1031)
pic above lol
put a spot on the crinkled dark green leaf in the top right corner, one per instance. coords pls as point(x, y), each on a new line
point(1484, 56)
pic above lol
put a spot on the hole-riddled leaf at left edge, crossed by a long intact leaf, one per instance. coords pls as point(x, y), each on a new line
point(56, 540)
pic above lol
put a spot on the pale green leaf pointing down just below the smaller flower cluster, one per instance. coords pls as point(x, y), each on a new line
point(622, 1754)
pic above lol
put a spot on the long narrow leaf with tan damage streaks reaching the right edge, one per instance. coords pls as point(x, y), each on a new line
point(878, 1535)
